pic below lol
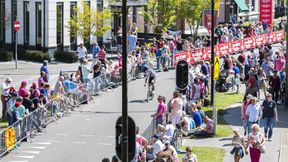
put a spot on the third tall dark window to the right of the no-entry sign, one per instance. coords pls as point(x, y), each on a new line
point(59, 28)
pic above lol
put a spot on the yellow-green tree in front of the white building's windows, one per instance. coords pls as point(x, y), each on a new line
point(86, 21)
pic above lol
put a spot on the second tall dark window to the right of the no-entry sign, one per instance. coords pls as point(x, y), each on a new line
point(38, 11)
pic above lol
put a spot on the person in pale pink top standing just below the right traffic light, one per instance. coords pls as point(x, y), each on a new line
point(176, 108)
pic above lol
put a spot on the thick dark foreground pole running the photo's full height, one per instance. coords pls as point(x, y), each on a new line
point(124, 85)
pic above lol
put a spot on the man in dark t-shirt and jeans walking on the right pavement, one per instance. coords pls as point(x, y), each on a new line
point(270, 115)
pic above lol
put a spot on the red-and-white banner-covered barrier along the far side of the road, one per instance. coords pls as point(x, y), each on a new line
point(229, 47)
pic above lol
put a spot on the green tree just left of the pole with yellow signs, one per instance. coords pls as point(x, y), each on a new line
point(191, 11)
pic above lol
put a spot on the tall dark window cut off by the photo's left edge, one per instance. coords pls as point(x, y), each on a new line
point(2, 22)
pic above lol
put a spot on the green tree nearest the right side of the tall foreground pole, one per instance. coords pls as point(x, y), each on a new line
point(160, 14)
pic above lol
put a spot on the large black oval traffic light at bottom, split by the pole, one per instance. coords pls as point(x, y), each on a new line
point(131, 138)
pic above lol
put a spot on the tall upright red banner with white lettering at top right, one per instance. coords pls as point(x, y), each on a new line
point(266, 11)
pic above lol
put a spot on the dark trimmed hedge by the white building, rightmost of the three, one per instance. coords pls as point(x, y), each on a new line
point(65, 56)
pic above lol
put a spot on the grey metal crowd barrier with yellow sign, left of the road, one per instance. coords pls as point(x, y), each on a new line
point(58, 107)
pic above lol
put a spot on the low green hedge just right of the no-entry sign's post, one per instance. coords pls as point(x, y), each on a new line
point(33, 55)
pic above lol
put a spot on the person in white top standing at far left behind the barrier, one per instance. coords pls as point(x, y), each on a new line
point(6, 86)
